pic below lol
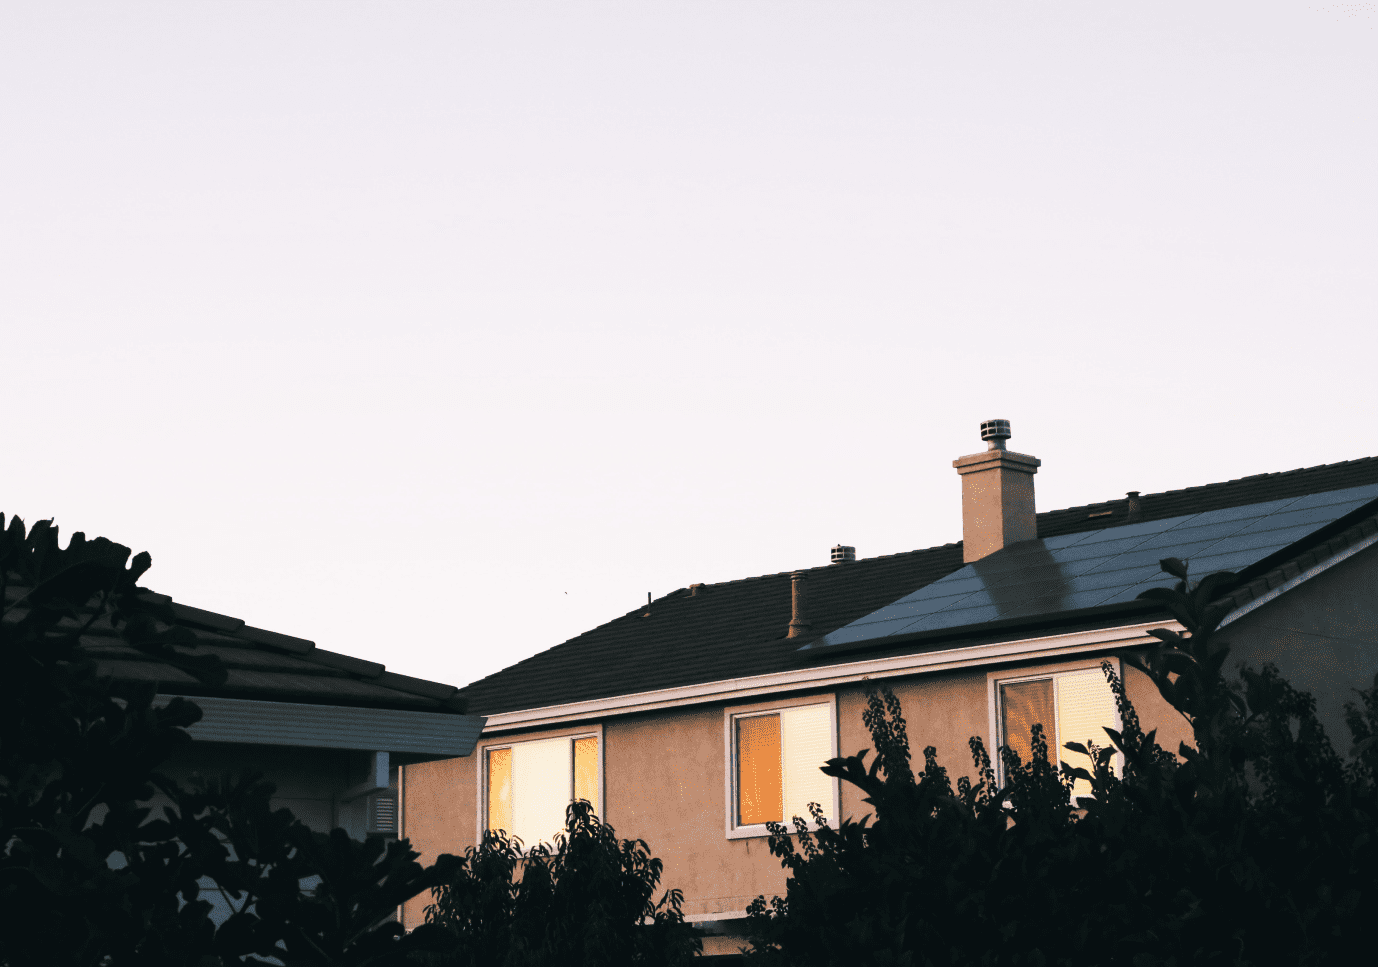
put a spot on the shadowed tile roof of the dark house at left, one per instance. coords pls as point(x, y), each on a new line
point(269, 666)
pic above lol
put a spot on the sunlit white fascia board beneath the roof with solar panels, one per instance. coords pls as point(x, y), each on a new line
point(738, 689)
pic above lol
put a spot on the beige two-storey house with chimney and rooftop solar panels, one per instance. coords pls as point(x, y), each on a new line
point(694, 721)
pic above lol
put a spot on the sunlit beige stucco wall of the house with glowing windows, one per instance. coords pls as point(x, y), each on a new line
point(665, 782)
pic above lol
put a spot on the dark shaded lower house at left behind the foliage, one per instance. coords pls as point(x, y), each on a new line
point(330, 731)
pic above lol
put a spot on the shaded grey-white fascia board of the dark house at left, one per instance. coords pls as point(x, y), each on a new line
point(257, 722)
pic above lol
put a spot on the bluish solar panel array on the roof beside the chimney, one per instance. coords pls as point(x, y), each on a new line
point(1114, 565)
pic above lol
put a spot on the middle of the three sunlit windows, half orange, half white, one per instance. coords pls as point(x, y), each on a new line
point(775, 761)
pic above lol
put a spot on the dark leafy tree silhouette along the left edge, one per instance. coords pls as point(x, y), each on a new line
point(93, 873)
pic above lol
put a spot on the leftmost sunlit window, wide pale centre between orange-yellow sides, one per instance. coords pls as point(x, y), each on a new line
point(530, 784)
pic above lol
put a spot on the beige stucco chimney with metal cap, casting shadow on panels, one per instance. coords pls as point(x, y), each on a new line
point(997, 495)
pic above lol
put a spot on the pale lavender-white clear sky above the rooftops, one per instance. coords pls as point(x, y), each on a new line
point(442, 333)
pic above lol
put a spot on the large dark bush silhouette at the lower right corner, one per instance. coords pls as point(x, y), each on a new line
point(1255, 845)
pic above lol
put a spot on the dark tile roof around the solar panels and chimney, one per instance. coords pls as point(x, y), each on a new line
point(737, 629)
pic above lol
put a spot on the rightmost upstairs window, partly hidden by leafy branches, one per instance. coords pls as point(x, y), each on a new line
point(1073, 707)
